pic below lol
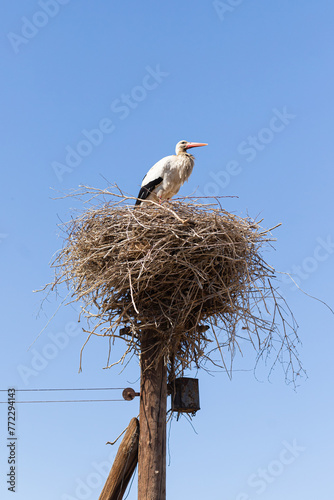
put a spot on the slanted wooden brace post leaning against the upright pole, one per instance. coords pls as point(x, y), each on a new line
point(124, 464)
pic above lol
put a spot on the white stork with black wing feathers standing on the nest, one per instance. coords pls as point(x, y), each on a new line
point(166, 177)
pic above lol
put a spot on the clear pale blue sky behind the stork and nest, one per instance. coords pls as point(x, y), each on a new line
point(253, 79)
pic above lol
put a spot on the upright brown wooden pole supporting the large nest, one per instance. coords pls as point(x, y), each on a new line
point(152, 422)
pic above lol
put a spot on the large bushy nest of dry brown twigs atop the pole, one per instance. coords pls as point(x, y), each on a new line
point(189, 274)
